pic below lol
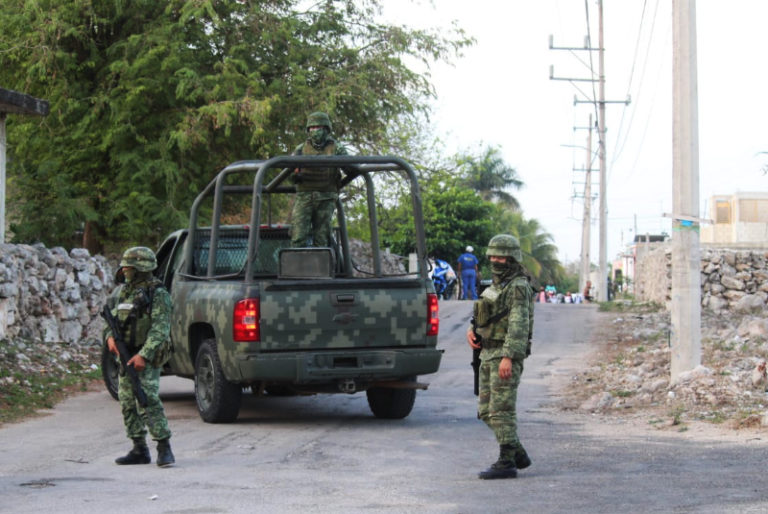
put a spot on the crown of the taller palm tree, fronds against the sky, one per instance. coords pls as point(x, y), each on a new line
point(490, 176)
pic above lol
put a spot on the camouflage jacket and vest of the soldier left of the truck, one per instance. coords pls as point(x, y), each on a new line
point(149, 328)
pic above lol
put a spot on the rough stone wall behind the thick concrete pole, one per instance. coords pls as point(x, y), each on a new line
point(731, 280)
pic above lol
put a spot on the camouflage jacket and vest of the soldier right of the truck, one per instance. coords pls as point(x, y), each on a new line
point(504, 314)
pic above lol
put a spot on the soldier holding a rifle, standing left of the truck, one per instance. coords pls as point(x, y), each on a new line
point(143, 308)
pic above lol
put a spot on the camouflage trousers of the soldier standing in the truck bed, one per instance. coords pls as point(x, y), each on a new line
point(313, 216)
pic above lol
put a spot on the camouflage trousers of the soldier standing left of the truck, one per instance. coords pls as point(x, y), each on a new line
point(136, 418)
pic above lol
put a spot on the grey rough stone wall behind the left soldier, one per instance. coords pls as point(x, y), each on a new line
point(50, 295)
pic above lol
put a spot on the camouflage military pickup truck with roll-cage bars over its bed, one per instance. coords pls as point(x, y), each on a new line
point(251, 313)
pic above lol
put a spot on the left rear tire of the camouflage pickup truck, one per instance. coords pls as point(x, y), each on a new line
point(218, 400)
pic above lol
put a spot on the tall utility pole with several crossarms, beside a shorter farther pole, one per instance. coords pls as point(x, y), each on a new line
point(602, 284)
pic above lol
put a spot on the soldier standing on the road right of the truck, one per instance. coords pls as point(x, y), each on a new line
point(504, 325)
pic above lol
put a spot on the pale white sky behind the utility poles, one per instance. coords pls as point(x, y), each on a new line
point(500, 94)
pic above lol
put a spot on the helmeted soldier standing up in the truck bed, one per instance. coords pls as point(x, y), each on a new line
point(317, 188)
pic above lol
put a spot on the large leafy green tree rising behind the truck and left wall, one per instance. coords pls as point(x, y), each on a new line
point(149, 99)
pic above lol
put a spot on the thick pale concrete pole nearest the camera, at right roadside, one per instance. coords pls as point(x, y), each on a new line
point(686, 279)
